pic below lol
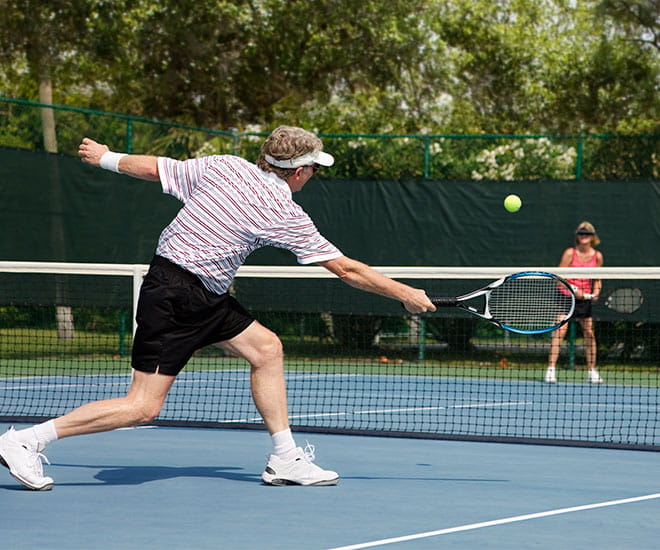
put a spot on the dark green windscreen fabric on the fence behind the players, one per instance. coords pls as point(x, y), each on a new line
point(55, 208)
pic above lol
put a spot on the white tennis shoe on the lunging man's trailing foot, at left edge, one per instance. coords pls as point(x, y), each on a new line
point(24, 462)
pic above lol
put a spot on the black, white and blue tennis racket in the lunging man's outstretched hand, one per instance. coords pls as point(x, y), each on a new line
point(531, 302)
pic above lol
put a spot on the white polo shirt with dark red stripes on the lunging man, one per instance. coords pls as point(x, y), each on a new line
point(230, 208)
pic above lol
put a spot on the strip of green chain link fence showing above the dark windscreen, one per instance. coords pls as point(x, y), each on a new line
point(358, 156)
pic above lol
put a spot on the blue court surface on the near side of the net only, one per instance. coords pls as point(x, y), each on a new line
point(200, 488)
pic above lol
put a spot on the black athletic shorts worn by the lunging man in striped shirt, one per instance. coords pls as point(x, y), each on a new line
point(177, 315)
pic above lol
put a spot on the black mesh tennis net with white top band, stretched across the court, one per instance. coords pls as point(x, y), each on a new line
point(355, 362)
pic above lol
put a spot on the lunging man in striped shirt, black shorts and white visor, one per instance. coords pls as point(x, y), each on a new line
point(231, 207)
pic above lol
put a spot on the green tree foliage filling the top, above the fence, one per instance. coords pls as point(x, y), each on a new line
point(415, 66)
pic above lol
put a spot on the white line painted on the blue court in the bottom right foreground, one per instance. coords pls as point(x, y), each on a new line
point(492, 523)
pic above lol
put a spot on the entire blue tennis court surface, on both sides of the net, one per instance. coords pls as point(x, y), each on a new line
point(201, 488)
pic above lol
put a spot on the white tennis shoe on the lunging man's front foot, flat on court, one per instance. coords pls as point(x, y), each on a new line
point(301, 470)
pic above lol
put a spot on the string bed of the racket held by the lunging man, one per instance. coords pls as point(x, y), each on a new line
point(530, 303)
